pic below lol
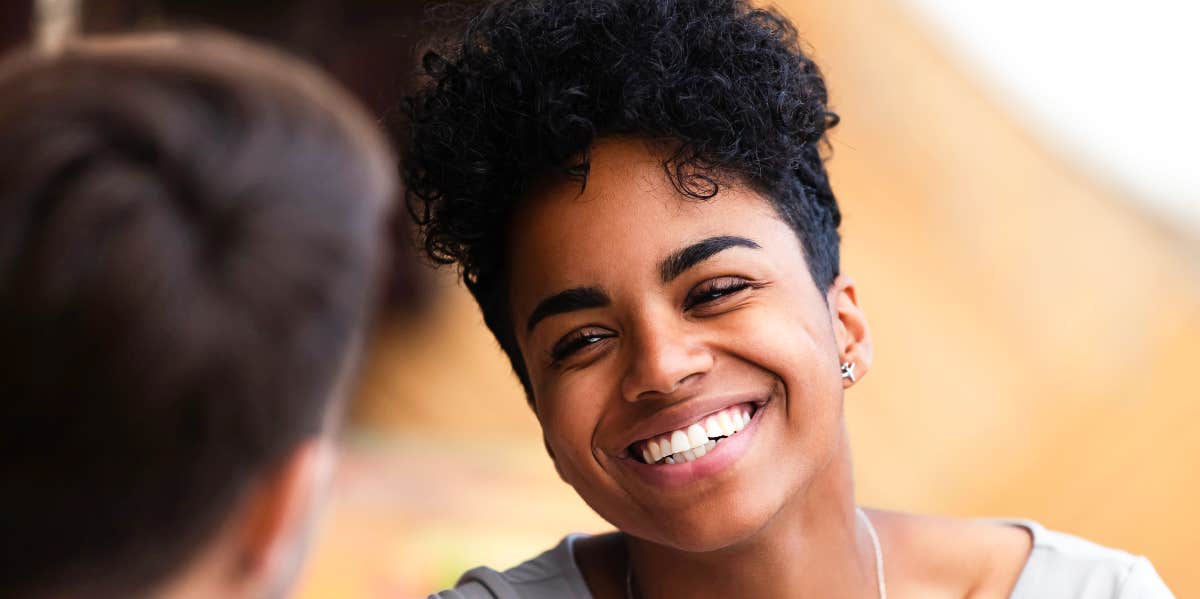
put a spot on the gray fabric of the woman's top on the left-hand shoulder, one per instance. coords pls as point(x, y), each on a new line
point(553, 574)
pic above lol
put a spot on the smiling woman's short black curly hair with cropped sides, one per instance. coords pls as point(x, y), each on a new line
point(531, 85)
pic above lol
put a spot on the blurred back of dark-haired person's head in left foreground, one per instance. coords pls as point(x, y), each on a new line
point(190, 236)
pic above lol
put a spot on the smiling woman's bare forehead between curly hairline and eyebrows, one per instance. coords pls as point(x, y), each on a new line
point(629, 217)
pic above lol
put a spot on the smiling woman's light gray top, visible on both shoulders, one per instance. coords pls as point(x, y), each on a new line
point(1060, 567)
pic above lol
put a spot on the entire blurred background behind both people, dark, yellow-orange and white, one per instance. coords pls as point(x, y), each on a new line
point(1022, 208)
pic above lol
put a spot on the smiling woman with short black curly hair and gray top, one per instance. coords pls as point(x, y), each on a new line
point(635, 194)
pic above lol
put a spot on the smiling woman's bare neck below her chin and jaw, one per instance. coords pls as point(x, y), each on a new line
point(815, 547)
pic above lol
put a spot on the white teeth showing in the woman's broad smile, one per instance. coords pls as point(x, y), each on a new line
point(693, 442)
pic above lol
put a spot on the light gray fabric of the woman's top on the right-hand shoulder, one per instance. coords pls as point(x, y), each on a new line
point(1061, 565)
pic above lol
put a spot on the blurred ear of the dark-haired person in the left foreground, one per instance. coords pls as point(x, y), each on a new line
point(280, 513)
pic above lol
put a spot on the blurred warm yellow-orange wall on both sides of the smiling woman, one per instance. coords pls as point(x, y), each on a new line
point(1036, 348)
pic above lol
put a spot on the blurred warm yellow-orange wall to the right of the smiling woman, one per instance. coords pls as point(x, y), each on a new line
point(1036, 339)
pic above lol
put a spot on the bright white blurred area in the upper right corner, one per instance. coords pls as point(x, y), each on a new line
point(1111, 86)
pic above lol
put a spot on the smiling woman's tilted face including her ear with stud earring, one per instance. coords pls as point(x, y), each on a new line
point(643, 314)
